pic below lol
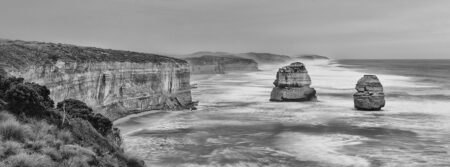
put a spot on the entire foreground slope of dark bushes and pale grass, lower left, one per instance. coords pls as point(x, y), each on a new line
point(35, 134)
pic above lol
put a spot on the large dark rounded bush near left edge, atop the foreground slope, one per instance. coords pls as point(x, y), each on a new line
point(23, 98)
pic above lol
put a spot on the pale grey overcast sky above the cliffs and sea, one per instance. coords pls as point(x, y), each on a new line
point(341, 29)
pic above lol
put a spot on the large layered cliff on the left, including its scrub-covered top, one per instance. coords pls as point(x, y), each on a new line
point(116, 83)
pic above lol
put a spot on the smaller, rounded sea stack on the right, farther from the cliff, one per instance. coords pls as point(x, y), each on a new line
point(369, 95)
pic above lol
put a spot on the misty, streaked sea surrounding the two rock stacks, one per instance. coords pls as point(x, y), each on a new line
point(236, 125)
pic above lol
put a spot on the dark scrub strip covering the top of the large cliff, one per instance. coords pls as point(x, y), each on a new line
point(19, 54)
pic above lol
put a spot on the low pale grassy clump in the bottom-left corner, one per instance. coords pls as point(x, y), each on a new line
point(29, 160)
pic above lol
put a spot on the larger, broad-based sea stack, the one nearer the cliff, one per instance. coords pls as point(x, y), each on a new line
point(292, 84)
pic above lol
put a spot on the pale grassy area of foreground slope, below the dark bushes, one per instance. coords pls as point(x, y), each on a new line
point(37, 143)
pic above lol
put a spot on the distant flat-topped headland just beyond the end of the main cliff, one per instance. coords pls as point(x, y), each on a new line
point(210, 64)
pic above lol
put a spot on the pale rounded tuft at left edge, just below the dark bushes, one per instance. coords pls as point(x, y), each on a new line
point(13, 130)
